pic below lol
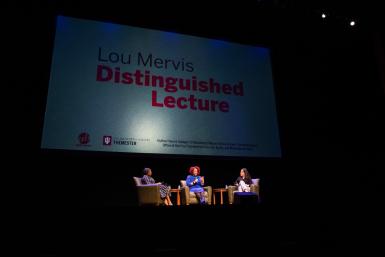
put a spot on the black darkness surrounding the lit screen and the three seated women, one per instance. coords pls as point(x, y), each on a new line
point(323, 197)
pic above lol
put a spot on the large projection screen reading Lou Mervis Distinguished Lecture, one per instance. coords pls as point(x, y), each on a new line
point(127, 89)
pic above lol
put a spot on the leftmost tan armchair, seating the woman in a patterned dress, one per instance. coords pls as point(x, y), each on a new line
point(148, 194)
